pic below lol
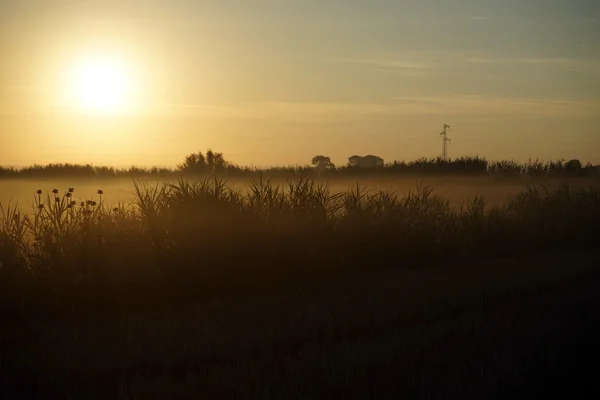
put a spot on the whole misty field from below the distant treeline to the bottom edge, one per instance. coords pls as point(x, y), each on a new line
point(197, 289)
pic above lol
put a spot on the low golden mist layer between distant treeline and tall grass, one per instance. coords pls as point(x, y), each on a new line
point(457, 189)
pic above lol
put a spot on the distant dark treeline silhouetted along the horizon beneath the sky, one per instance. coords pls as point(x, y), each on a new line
point(198, 164)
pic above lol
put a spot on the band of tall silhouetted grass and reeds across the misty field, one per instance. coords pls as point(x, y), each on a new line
point(195, 236)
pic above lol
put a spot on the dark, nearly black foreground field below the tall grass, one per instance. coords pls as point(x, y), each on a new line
point(510, 328)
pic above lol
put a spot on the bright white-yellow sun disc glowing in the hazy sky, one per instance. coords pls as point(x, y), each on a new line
point(101, 86)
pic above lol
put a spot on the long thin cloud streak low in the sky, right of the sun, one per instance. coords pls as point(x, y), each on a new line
point(457, 105)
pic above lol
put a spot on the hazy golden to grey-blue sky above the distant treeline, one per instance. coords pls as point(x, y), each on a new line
point(275, 82)
